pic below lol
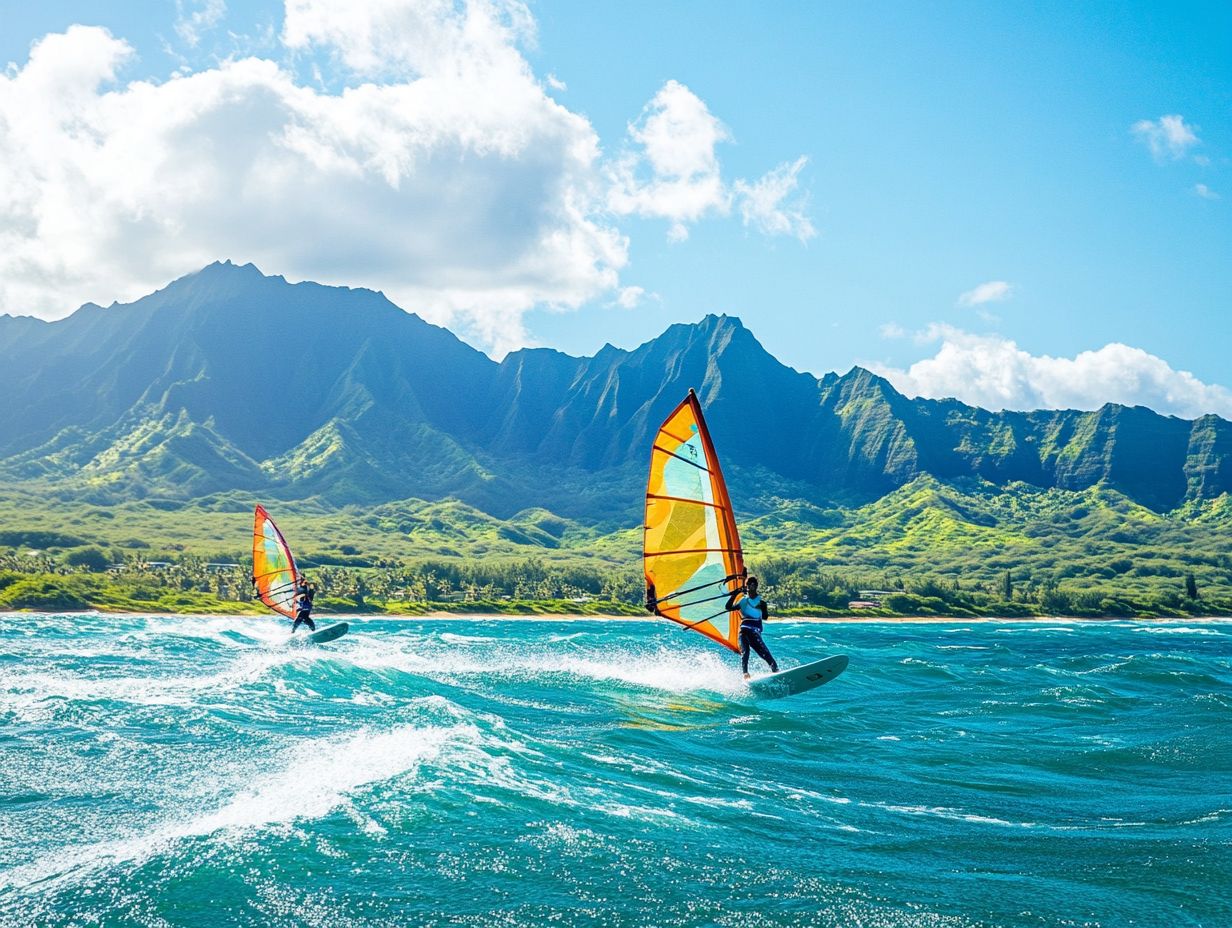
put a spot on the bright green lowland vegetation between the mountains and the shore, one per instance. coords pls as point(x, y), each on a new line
point(965, 549)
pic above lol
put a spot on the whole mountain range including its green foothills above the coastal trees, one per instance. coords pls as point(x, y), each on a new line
point(370, 431)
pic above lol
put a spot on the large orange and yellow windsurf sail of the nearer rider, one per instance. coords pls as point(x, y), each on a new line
point(692, 549)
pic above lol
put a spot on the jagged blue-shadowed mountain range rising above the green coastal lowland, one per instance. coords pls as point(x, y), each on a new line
point(231, 380)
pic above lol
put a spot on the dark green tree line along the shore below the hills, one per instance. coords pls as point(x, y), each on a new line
point(795, 586)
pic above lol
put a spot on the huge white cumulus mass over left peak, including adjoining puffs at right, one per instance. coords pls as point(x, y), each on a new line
point(442, 172)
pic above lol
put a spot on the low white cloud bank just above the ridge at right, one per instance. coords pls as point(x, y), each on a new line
point(994, 373)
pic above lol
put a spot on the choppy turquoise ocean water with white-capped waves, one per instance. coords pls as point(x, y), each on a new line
point(195, 772)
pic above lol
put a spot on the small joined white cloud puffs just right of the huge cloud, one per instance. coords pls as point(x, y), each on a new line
point(671, 171)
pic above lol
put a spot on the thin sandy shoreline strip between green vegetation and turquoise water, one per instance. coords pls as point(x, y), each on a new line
point(607, 618)
